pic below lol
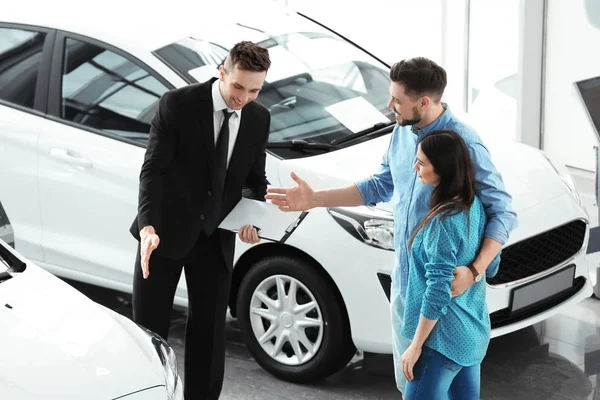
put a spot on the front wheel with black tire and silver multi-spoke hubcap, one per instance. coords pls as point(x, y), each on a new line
point(319, 332)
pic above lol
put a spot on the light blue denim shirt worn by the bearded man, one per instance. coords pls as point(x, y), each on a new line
point(397, 181)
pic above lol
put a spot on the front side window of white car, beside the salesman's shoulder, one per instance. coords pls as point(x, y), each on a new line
point(104, 90)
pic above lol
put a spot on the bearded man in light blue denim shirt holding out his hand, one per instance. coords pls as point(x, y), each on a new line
point(416, 90)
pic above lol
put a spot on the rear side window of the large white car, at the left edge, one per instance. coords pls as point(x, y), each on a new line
point(20, 56)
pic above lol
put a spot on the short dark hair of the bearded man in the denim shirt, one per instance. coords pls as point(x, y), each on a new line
point(420, 76)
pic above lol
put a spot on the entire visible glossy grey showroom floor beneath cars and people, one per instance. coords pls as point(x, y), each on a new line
point(556, 359)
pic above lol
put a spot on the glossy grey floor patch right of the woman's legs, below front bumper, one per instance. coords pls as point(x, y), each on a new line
point(557, 359)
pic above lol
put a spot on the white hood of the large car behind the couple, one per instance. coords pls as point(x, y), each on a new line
point(528, 176)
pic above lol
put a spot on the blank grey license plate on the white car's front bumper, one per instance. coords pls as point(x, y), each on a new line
point(542, 290)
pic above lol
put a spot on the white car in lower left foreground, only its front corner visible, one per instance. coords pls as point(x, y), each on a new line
point(59, 344)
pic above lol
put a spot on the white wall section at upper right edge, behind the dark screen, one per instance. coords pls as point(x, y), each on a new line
point(572, 54)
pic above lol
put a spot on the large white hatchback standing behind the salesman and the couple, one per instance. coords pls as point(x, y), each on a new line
point(76, 100)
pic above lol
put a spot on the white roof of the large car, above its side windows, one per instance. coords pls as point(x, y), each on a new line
point(133, 24)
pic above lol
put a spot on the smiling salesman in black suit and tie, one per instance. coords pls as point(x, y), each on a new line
point(207, 142)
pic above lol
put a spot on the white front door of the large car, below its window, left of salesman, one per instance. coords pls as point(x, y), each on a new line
point(87, 210)
